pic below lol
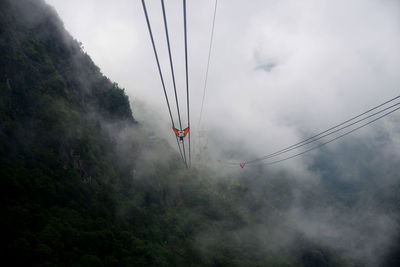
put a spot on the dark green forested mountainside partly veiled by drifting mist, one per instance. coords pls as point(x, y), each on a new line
point(83, 185)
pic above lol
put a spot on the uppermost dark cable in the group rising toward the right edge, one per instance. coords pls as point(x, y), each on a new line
point(318, 136)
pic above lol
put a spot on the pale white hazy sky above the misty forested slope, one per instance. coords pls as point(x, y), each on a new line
point(278, 68)
